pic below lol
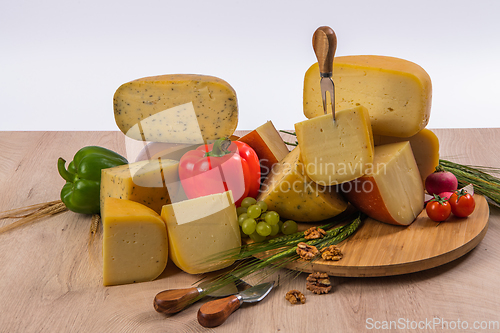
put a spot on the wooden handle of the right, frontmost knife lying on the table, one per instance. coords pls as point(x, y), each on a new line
point(214, 313)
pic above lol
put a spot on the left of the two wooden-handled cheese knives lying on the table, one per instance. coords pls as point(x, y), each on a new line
point(175, 300)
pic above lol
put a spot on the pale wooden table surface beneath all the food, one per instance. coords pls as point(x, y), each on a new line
point(51, 276)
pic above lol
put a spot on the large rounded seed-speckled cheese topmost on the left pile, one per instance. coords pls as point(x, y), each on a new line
point(179, 108)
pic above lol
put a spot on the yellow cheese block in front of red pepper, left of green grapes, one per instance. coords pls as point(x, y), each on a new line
point(201, 228)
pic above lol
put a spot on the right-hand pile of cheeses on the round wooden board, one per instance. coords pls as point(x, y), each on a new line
point(396, 96)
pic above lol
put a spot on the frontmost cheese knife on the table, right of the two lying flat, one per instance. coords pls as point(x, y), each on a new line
point(214, 313)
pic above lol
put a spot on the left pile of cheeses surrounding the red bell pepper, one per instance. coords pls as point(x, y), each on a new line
point(146, 216)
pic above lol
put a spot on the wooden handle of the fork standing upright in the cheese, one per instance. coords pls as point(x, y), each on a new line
point(325, 45)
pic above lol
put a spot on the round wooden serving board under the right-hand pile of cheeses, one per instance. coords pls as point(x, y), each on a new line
point(379, 249)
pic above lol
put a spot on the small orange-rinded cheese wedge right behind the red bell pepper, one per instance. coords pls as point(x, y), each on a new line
point(268, 144)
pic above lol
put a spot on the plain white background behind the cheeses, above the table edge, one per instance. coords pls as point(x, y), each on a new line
point(61, 61)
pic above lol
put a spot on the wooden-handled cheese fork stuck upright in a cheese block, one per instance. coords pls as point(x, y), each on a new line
point(325, 45)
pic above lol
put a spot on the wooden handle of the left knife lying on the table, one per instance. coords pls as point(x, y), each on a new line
point(174, 300)
